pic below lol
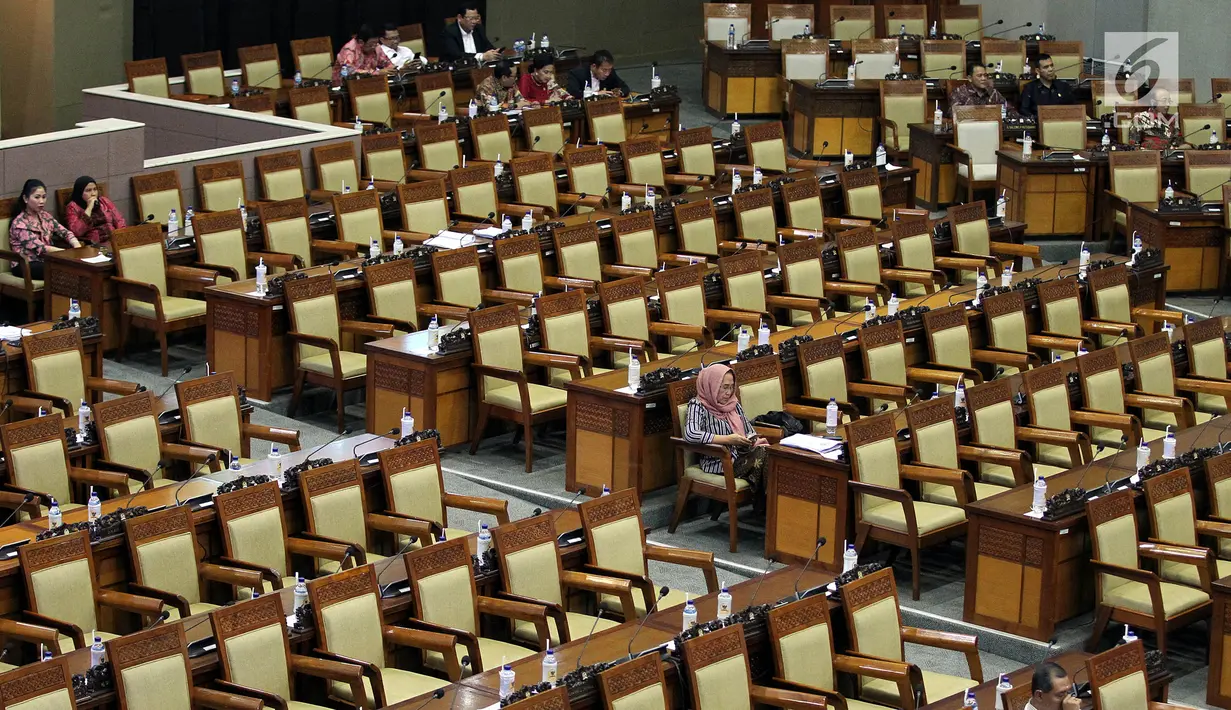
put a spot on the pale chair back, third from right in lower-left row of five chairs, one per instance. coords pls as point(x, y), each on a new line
point(253, 526)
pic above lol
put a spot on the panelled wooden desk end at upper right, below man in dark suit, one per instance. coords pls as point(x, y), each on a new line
point(1054, 197)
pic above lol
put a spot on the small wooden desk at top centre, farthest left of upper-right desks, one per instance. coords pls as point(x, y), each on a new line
point(744, 81)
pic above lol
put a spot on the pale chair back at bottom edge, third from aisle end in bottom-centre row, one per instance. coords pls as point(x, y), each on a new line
point(718, 666)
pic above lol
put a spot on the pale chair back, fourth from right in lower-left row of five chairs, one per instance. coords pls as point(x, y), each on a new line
point(164, 552)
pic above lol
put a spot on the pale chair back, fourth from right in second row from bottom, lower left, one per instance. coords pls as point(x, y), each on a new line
point(349, 620)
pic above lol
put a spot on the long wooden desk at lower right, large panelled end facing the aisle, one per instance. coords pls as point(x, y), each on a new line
point(1026, 575)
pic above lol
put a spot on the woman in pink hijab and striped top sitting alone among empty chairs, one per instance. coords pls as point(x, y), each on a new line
point(716, 418)
